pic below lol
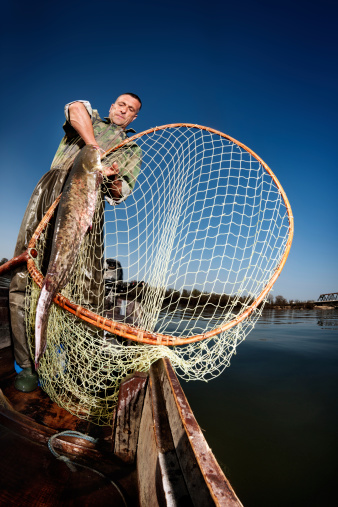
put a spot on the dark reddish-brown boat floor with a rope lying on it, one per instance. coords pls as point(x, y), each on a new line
point(31, 475)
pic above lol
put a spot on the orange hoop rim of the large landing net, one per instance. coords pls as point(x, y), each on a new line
point(137, 334)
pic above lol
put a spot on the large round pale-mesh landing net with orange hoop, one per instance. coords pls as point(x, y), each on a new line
point(181, 268)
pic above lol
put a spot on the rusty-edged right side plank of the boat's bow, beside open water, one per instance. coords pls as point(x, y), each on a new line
point(205, 480)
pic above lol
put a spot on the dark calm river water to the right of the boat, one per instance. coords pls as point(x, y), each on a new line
point(271, 418)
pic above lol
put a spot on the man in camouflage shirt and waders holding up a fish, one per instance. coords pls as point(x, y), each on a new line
point(83, 126)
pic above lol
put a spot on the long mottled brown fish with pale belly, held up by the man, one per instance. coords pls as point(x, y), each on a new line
point(74, 218)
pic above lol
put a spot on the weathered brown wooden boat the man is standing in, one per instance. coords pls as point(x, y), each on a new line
point(154, 454)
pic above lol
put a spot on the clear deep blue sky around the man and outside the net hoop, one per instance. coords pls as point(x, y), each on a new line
point(264, 72)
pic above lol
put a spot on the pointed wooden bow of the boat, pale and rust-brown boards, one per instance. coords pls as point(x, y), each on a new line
point(172, 451)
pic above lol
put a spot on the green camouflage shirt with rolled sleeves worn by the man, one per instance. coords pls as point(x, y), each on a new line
point(107, 135)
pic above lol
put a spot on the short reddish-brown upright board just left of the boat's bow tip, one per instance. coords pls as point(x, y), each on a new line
point(128, 416)
